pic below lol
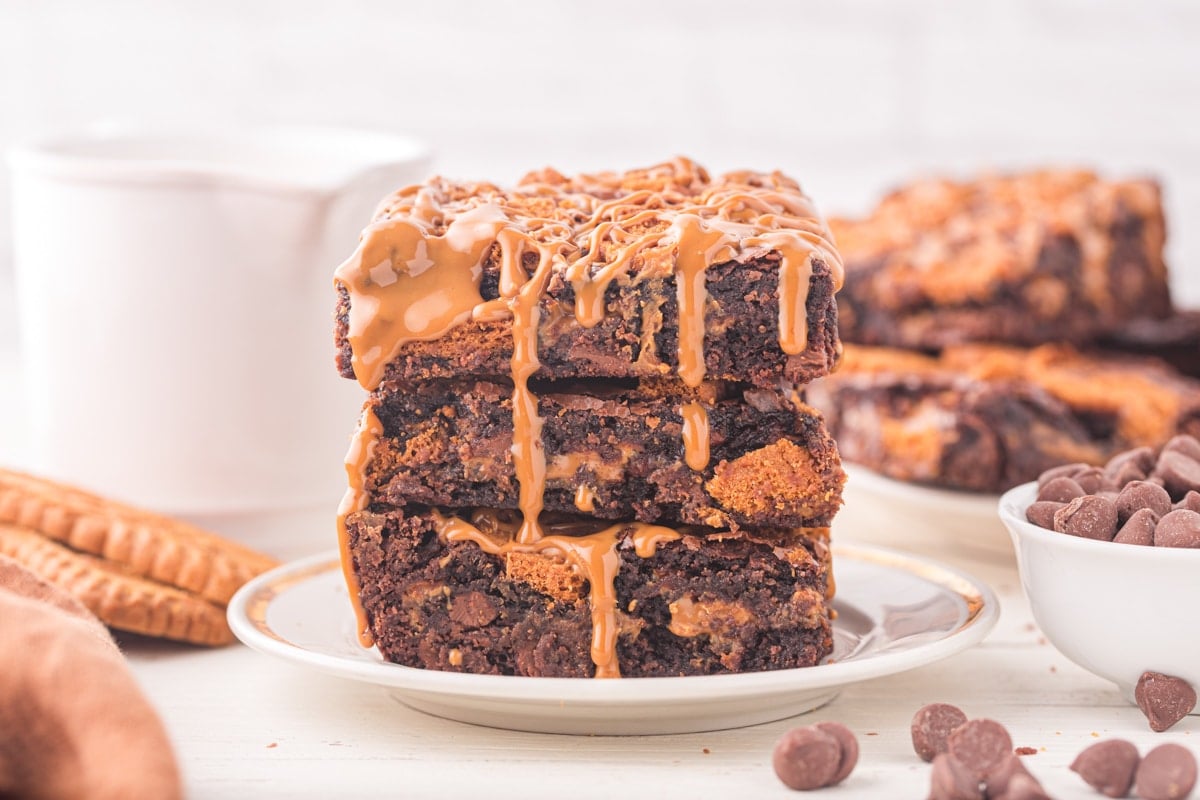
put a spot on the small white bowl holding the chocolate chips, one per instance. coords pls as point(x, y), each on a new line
point(1115, 610)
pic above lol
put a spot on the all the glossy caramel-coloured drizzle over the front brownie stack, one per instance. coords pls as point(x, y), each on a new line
point(417, 273)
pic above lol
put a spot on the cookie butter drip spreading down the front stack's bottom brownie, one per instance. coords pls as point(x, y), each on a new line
point(593, 556)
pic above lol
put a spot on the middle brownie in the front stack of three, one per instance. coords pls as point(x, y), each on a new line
point(613, 452)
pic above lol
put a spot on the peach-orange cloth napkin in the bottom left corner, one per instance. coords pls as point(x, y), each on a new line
point(74, 723)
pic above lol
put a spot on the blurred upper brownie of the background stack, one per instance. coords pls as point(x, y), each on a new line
point(1023, 260)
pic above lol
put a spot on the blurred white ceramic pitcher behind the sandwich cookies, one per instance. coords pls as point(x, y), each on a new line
point(176, 300)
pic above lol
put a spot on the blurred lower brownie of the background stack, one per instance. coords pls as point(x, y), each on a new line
point(987, 418)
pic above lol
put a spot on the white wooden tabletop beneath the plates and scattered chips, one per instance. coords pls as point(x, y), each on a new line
point(245, 725)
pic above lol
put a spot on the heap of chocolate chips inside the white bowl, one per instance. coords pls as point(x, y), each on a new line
point(1138, 498)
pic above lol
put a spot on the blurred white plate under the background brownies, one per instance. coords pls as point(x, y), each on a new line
point(944, 524)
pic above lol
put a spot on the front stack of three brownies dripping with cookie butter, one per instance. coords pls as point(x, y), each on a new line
point(585, 450)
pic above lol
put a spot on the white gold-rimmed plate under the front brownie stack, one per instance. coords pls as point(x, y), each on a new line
point(895, 612)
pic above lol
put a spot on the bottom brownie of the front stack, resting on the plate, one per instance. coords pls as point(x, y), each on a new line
point(693, 603)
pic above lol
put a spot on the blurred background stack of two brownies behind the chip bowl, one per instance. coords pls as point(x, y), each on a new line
point(988, 321)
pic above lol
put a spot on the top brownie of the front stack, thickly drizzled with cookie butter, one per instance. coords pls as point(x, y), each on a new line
point(621, 275)
